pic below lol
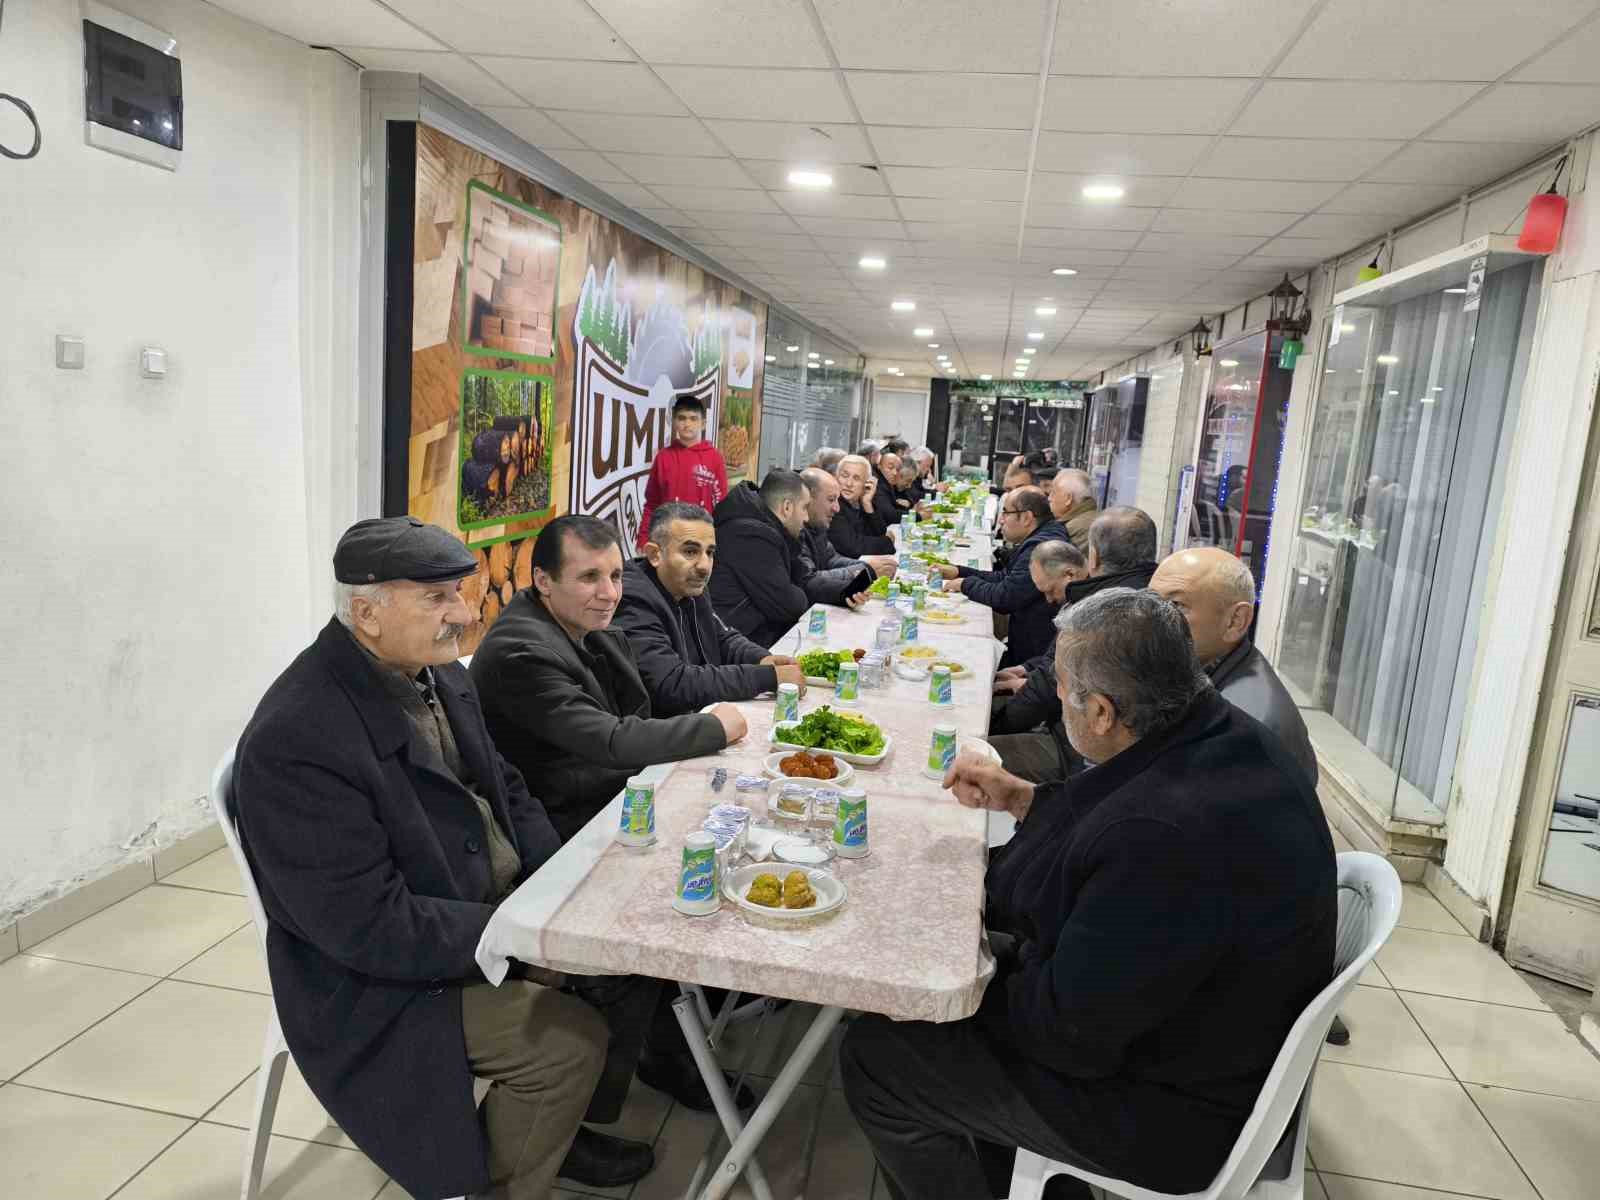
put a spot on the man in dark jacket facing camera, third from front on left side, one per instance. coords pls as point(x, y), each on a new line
point(687, 655)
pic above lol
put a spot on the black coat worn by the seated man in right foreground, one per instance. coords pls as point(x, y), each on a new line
point(1175, 913)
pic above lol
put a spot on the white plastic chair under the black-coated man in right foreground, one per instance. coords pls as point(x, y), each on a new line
point(1270, 1158)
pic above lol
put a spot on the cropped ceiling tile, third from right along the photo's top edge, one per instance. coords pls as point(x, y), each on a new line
point(935, 34)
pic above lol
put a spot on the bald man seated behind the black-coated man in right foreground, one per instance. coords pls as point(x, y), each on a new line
point(1217, 593)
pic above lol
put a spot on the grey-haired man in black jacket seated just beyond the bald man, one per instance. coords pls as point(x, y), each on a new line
point(1026, 729)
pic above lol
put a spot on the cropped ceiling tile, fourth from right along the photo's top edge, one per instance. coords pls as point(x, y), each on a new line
point(751, 33)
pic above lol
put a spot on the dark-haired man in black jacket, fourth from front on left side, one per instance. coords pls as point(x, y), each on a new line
point(759, 585)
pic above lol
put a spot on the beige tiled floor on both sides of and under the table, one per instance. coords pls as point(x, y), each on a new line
point(129, 1046)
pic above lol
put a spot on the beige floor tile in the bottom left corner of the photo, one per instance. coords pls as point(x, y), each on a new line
point(66, 1148)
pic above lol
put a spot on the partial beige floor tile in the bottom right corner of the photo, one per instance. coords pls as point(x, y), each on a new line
point(1553, 1138)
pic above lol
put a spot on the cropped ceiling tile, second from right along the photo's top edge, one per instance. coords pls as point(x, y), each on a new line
point(1159, 38)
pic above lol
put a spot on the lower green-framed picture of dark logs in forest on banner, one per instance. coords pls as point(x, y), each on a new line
point(506, 449)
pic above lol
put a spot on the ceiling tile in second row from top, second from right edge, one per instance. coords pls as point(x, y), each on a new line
point(1346, 110)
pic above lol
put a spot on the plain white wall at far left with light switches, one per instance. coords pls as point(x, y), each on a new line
point(154, 548)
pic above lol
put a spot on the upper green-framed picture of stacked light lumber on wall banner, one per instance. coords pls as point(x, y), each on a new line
point(513, 257)
